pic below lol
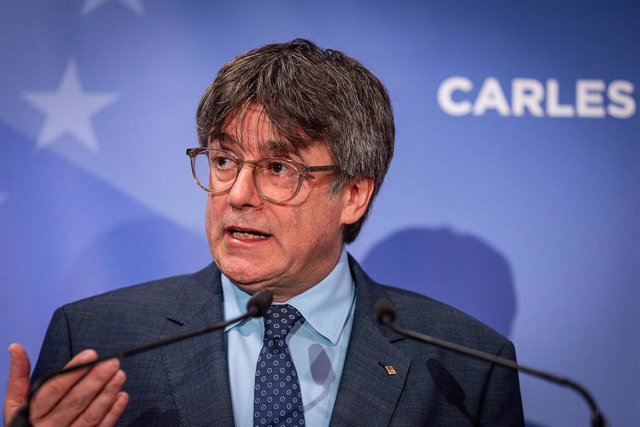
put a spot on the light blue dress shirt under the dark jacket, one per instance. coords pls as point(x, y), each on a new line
point(318, 347)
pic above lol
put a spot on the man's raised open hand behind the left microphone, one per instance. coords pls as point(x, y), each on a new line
point(73, 399)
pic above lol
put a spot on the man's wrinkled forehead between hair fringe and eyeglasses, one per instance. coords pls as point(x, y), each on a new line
point(251, 129)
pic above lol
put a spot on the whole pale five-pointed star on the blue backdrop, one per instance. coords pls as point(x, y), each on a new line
point(68, 110)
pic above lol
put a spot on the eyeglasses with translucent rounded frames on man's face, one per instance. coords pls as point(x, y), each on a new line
point(277, 179)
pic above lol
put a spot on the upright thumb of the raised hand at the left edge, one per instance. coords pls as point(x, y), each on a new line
point(17, 383)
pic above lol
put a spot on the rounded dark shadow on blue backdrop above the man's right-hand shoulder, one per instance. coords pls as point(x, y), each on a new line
point(458, 269)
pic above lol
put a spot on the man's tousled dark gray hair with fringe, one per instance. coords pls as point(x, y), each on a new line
point(310, 95)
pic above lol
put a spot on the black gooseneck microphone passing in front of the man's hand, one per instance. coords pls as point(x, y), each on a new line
point(257, 306)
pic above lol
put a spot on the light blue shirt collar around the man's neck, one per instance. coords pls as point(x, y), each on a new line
point(325, 306)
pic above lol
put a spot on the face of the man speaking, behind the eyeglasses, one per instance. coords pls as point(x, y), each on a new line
point(286, 247)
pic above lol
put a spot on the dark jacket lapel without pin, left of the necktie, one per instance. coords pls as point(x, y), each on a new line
point(197, 367)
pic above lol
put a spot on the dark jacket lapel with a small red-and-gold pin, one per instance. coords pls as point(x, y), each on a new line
point(374, 371)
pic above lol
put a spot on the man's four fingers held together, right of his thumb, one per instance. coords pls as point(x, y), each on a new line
point(82, 401)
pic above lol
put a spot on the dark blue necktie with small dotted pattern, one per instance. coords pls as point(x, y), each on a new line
point(277, 398)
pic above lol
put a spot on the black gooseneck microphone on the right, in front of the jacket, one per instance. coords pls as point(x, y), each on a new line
point(386, 315)
